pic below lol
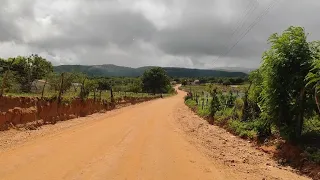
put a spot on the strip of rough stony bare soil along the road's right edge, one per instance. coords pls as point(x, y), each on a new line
point(230, 151)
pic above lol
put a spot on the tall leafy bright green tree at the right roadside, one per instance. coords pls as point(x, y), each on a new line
point(285, 66)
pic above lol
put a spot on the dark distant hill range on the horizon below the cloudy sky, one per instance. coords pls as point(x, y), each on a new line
point(121, 71)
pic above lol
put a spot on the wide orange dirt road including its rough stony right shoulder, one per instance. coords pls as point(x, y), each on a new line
point(160, 139)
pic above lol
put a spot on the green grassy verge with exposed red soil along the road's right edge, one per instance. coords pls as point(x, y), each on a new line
point(304, 156)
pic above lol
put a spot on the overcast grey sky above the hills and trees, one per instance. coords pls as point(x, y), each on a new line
point(180, 33)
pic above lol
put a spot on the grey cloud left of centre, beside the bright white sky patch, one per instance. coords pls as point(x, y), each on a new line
point(120, 28)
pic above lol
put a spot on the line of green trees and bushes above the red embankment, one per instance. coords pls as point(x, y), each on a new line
point(19, 74)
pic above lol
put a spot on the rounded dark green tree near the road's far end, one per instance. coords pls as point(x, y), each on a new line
point(155, 81)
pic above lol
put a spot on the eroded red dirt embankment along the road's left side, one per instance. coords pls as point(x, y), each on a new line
point(20, 111)
